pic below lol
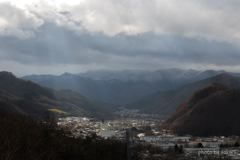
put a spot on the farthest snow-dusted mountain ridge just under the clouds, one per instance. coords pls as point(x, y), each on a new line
point(173, 75)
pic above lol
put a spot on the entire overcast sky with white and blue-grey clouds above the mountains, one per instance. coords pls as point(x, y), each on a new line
point(57, 36)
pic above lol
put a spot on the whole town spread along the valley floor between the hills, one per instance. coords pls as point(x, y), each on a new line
point(144, 129)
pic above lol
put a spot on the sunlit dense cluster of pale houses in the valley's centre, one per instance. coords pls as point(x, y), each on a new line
point(83, 126)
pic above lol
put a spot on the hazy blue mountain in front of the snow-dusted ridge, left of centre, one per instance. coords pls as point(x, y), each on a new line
point(112, 91)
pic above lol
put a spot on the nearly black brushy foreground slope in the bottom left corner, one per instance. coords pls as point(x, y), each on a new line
point(42, 139)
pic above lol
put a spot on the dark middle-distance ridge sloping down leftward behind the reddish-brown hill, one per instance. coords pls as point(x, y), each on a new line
point(165, 102)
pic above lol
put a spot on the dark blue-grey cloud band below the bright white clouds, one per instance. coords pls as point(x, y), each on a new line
point(57, 45)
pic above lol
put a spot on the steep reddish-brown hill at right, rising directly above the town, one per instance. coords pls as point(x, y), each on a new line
point(213, 110)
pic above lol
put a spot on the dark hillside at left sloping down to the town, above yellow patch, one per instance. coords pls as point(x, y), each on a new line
point(28, 98)
